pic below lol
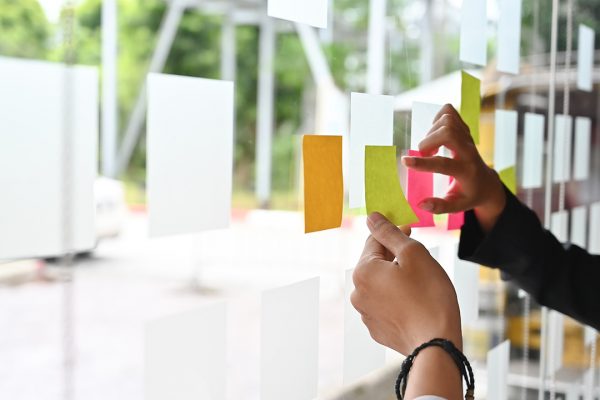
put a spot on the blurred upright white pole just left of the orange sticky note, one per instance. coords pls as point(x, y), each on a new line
point(264, 119)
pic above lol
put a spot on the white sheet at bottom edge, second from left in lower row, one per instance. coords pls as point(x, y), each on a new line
point(289, 342)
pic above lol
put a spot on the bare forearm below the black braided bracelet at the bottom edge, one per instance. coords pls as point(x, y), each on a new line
point(434, 373)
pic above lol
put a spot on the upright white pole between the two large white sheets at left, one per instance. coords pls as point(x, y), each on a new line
point(109, 87)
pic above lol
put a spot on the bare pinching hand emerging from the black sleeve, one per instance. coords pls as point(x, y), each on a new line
point(475, 186)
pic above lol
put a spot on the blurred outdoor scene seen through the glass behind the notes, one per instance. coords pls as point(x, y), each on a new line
point(77, 332)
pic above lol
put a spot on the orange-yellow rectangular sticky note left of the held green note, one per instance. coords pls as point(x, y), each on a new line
point(323, 183)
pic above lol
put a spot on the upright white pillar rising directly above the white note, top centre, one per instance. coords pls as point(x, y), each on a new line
point(376, 49)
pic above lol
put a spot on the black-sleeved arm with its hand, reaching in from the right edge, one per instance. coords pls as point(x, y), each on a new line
point(501, 232)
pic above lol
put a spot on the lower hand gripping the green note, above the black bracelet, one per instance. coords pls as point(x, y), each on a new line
point(407, 301)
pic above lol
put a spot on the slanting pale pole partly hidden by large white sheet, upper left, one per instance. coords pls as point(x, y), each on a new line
point(166, 35)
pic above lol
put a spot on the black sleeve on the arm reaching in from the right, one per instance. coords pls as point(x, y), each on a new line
point(563, 277)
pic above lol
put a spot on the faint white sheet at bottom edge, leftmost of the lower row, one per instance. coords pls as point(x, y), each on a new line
point(185, 355)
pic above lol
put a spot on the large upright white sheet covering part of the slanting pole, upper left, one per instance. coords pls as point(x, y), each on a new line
point(190, 154)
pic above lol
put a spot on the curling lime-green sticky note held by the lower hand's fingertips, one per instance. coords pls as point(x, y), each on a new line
point(383, 193)
